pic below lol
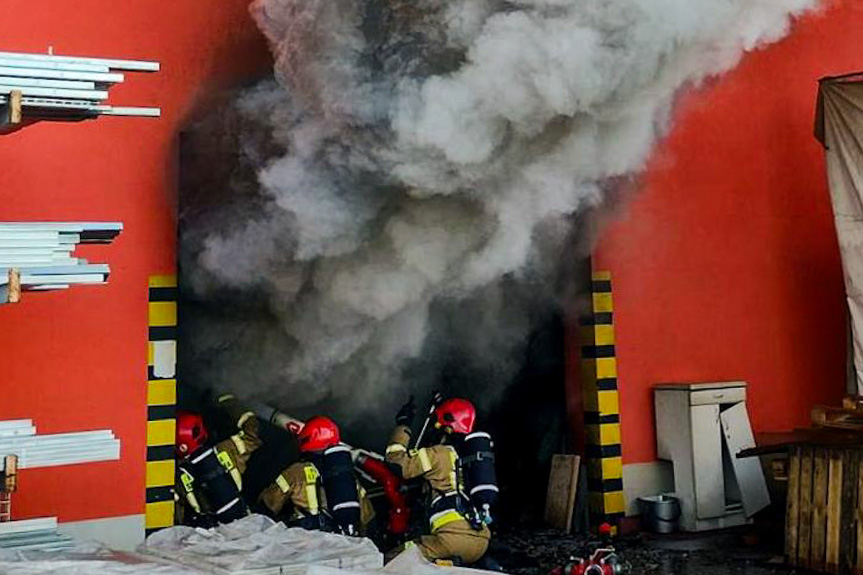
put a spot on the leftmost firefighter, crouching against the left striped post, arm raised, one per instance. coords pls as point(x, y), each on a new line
point(210, 478)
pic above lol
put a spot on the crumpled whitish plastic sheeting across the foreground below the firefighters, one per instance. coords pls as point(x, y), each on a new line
point(252, 546)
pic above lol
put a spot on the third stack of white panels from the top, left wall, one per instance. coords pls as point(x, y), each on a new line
point(18, 437)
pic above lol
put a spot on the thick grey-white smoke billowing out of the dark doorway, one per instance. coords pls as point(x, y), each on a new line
point(424, 162)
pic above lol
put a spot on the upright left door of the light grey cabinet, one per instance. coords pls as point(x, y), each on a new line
point(707, 461)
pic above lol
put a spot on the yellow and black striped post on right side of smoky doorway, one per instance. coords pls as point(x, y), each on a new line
point(601, 405)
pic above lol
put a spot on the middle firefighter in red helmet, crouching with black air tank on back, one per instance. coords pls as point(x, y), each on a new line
point(321, 488)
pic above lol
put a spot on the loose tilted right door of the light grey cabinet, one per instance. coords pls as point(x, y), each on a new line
point(750, 477)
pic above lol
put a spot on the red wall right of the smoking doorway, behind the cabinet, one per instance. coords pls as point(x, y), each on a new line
point(725, 264)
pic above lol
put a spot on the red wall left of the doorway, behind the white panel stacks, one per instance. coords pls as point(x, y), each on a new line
point(77, 360)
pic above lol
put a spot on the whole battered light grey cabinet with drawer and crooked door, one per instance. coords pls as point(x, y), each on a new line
point(700, 428)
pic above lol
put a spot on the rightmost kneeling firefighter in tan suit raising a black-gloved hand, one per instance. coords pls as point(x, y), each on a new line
point(456, 531)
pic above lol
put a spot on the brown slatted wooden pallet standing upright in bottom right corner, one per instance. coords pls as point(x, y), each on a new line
point(824, 513)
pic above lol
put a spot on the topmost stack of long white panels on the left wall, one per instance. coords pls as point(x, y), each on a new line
point(67, 87)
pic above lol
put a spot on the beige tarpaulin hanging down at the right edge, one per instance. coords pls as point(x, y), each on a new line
point(839, 127)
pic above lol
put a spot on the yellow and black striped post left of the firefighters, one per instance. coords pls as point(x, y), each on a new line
point(161, 401)
